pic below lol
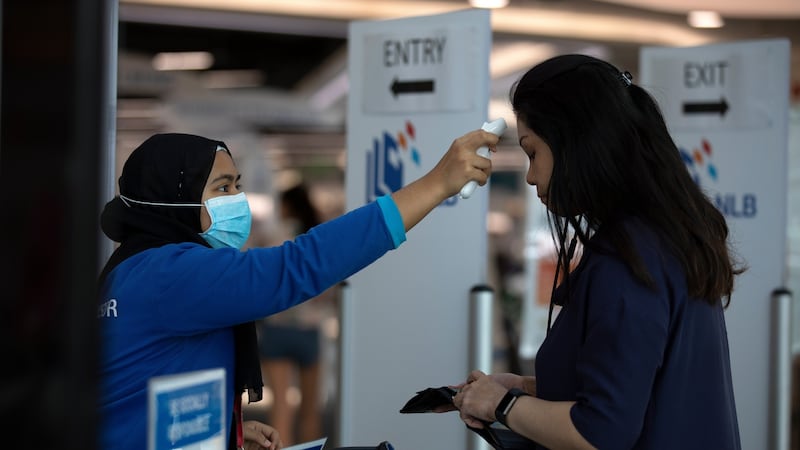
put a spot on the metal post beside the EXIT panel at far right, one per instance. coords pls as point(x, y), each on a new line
point(781, 386)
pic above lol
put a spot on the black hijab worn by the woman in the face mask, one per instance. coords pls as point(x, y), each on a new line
point(172, 168)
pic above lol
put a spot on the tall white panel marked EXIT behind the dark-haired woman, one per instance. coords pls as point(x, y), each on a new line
point(727, 108)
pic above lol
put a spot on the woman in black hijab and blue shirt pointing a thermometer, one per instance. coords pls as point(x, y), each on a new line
point(178, 295)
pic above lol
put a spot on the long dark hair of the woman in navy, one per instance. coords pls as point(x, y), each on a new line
point(614, 158)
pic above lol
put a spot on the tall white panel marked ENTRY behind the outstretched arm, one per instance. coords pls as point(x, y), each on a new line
point(415, 85)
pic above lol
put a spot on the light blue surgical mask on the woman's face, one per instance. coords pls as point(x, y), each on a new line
point(230, 221)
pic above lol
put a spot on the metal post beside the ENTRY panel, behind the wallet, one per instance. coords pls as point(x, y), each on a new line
point(480, 343)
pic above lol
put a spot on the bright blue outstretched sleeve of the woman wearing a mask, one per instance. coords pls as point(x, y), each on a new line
point(212, 288)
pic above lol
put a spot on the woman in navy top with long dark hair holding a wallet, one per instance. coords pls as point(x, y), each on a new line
point(637, 357)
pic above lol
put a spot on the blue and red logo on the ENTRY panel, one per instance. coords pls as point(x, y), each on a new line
point(387, 160)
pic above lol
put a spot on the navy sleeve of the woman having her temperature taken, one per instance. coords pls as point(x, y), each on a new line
point(627, 328)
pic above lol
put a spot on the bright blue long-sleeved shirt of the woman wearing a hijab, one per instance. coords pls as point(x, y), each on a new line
point(172, 309)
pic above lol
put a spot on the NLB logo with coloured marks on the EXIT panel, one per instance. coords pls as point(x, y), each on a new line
point(701, 167)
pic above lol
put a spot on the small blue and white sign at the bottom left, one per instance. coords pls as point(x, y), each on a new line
point(187, 411)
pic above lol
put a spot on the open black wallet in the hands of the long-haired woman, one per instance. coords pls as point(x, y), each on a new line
point(498, 436)
